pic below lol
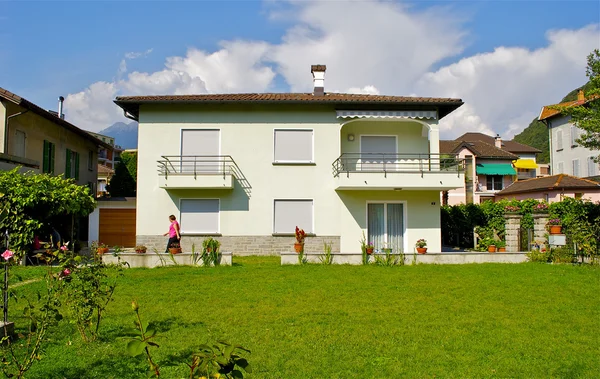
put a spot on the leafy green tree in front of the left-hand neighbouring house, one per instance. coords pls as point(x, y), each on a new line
point(34, 199)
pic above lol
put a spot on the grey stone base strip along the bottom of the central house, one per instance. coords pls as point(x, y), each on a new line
point(245, 245)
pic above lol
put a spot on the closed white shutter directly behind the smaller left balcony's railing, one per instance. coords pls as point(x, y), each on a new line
point(200, 150)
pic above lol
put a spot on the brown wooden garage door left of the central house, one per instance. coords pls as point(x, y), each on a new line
point(117, 227)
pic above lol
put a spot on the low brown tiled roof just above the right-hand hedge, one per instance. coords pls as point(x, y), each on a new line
point(549, 183)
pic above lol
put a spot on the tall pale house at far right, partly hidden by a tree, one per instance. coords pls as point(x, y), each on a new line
point(566, 155)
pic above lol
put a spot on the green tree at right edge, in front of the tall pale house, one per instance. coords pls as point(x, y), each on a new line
point(587, 116)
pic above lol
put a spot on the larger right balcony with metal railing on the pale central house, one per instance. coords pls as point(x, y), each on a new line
point(392, 171)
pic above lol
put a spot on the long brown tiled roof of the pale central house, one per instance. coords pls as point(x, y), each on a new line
point(443, 105)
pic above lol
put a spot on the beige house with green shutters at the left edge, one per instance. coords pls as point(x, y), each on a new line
point(41, 141)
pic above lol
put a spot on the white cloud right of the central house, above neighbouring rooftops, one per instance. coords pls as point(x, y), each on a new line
point(506, 88)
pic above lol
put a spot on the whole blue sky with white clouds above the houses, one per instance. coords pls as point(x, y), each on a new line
point(505, 59)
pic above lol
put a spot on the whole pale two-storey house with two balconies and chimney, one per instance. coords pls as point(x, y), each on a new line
point(249, 168)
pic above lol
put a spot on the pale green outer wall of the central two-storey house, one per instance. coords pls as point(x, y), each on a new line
point(246, 214)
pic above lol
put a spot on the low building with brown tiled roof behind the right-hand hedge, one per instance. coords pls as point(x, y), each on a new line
point(552, 188)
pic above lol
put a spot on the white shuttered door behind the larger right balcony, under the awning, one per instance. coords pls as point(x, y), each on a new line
point(377, 153)
